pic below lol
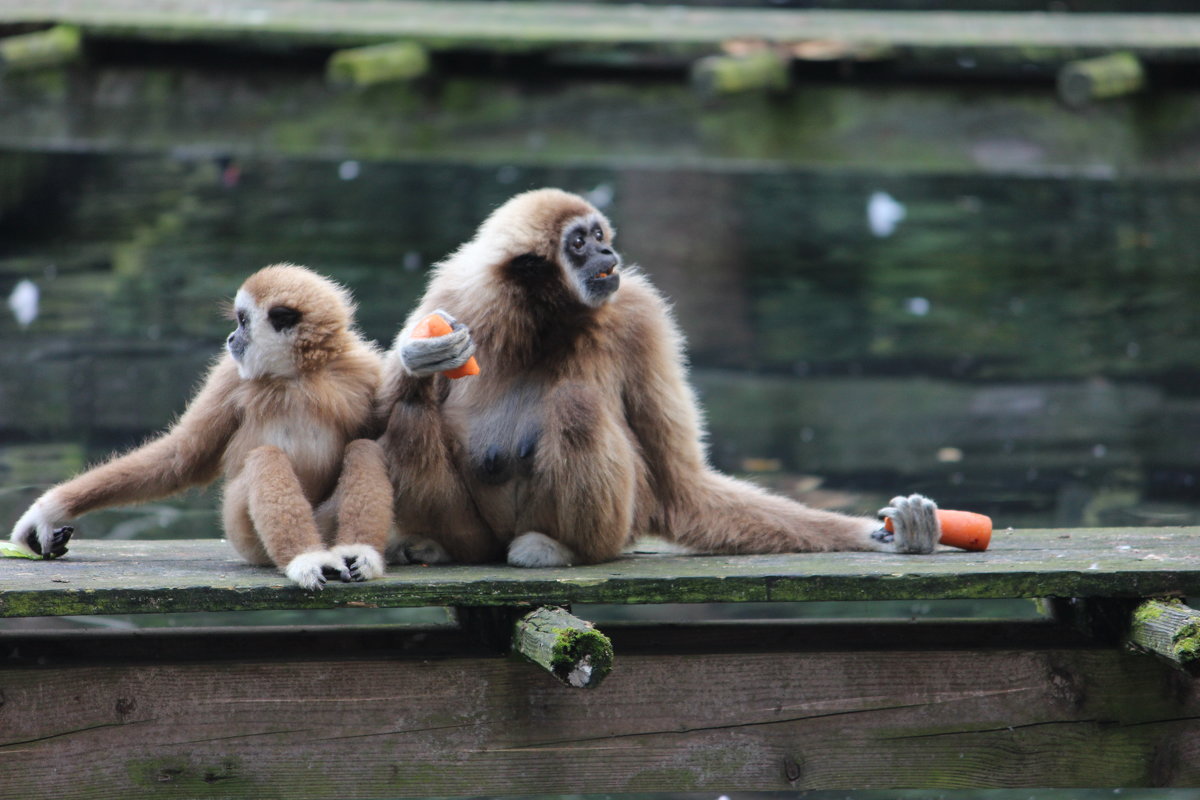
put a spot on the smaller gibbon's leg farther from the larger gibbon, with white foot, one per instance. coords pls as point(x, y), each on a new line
point(285, 522)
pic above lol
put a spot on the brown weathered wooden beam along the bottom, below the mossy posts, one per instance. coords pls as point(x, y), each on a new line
point(383, 729)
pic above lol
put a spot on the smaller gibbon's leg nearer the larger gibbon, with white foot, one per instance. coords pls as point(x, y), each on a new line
point(364, 510)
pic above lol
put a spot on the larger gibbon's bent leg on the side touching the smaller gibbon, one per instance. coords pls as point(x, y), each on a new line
point(436, 518)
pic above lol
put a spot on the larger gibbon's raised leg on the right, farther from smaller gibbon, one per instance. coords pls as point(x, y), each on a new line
point(586, 478)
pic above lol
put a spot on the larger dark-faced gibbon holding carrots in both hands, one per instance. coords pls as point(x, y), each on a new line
point(583, 430)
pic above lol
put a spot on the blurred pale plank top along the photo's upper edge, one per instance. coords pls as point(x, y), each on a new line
point(508, 25)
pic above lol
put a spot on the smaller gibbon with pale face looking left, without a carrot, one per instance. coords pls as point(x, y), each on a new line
point(280, 416)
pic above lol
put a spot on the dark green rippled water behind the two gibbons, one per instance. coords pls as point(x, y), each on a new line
point(1027, 347)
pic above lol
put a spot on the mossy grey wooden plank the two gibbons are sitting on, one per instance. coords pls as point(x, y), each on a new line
point(106, 578)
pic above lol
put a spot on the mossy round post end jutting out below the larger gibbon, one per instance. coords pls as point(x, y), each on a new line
point(571, 648)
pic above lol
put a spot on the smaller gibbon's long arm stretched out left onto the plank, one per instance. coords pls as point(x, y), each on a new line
point(188, 455)
